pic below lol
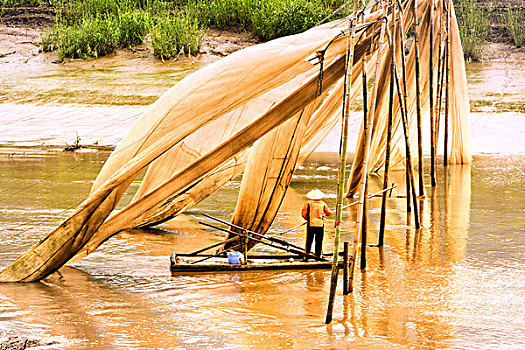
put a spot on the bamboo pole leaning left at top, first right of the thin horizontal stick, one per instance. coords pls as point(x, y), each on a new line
point(411, 186)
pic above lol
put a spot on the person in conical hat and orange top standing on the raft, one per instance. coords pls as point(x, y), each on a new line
point(313, 211)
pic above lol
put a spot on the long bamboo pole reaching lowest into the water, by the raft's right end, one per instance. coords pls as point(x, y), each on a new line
point(342, 165)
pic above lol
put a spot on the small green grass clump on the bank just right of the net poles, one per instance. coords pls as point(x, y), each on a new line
point(473, 25)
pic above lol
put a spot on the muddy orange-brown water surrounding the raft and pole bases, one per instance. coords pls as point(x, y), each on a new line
point(457, 283)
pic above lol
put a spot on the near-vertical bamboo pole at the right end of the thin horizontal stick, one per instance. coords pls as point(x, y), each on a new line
point(382, 221)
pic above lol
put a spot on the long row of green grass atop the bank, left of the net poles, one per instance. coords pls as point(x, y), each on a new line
point(93, 28)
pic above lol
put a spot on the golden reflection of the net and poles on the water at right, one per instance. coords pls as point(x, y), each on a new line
point(406, 295)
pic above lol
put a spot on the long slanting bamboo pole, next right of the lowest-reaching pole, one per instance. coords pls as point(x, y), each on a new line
point(362, 191)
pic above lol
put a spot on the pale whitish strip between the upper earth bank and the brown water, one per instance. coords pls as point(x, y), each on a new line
point(48, 104)
